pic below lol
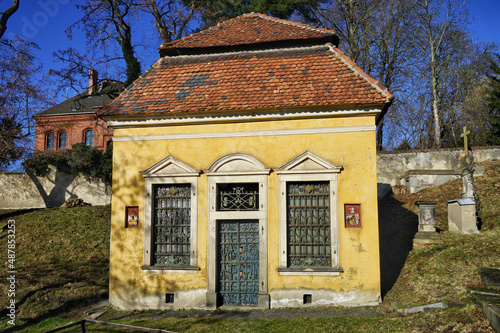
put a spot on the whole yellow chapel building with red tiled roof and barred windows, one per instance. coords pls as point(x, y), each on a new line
point(244, 173)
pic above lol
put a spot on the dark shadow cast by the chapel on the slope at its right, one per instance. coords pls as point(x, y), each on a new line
point(397, 227)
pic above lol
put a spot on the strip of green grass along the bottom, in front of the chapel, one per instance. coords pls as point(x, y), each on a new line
point(452, 320)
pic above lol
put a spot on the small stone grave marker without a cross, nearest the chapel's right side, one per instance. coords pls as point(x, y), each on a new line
point(426, 234)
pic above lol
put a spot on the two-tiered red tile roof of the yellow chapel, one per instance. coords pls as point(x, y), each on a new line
point(319, 75)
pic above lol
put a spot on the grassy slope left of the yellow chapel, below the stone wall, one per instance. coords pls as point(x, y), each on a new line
point(62, 261)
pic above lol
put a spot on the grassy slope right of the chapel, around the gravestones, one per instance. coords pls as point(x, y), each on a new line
point(443, 272)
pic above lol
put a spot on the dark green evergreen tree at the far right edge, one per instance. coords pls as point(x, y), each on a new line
point(494, 102)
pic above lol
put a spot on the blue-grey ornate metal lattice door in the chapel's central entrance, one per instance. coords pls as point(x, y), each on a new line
point(238, 262)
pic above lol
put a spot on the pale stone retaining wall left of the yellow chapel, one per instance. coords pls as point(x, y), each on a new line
point(25, 190)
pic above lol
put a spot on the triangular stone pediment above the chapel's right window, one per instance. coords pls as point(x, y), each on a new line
point(308, 162)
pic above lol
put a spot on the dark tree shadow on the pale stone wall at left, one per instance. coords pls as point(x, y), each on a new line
point(57, 195)
